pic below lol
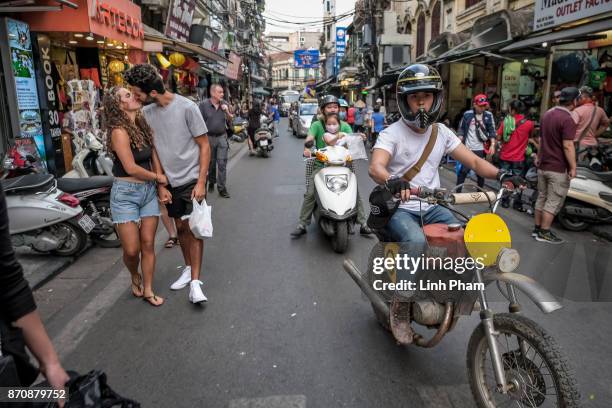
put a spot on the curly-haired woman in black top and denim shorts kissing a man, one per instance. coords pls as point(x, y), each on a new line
point(134, 205)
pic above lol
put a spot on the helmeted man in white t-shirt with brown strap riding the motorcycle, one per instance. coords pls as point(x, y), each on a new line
point(404, 155)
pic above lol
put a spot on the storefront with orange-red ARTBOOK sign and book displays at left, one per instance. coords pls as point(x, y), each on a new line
point(76, 53)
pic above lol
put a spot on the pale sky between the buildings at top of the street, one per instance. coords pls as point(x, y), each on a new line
point(308, 11)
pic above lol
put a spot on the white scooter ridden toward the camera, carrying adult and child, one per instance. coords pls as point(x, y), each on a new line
point(336, 195)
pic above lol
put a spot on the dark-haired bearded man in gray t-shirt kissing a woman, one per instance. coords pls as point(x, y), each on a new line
point(181, 152)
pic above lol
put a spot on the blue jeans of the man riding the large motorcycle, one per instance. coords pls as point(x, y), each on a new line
point(405, 225)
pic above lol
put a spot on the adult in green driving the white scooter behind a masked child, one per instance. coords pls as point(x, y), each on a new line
point(329, 104)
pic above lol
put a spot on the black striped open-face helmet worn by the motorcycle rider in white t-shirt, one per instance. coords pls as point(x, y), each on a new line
point(419, 78)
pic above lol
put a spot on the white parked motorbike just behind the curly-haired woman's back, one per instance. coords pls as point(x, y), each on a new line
point(91, 158)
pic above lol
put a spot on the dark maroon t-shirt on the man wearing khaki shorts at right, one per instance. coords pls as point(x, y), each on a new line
point(556, 126)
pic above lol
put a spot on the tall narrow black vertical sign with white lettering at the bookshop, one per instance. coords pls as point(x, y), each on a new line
point(46, 66)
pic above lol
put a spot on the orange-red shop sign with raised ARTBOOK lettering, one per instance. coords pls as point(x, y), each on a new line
point(117, 19)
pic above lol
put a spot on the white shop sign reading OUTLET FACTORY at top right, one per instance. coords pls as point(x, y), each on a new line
point(551, 13)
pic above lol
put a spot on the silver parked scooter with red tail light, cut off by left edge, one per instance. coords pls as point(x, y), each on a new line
point(43, 217)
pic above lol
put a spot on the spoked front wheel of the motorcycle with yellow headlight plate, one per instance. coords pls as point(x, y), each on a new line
point(533, 363)
